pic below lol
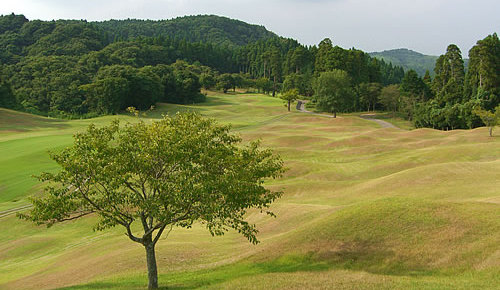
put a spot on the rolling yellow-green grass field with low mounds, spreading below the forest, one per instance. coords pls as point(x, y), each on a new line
point(364, 207)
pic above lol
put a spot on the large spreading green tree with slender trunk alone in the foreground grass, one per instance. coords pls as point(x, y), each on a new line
point(169, 173)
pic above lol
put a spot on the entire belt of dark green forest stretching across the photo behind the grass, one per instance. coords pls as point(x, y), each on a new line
point(72, 68)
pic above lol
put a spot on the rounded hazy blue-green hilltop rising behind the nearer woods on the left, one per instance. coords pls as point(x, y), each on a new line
point(202, 28)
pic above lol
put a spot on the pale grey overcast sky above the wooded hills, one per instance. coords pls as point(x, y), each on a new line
point(427, 26)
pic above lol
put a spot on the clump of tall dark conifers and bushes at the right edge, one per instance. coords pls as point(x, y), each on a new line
point(452, 98)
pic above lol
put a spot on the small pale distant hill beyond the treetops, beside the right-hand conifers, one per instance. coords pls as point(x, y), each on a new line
point(408, 59)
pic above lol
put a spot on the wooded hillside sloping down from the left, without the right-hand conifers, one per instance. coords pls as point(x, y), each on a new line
point(72, 68)
